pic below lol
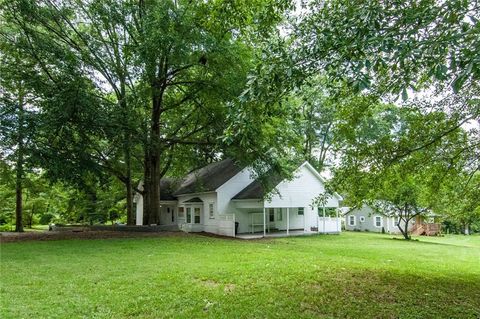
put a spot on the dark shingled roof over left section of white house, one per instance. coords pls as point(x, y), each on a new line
point(208, 178)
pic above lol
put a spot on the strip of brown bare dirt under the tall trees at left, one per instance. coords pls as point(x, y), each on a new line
point(8, 237)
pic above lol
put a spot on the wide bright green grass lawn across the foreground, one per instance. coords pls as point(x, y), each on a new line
point(354, 275)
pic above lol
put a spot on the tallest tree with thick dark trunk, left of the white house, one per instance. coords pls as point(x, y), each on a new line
point(171, 64)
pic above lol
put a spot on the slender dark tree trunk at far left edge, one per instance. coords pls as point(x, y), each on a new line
point(19, 164)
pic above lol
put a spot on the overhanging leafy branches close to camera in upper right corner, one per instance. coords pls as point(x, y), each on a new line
point(383, 50)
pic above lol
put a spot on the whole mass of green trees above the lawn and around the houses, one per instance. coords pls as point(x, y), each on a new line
point(98, 95)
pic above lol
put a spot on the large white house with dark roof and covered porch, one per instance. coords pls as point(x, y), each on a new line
point(222, 195)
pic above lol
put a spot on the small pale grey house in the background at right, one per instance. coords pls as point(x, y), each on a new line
point(367, 219)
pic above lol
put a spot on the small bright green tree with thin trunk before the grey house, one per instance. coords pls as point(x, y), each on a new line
point(400, 183)
